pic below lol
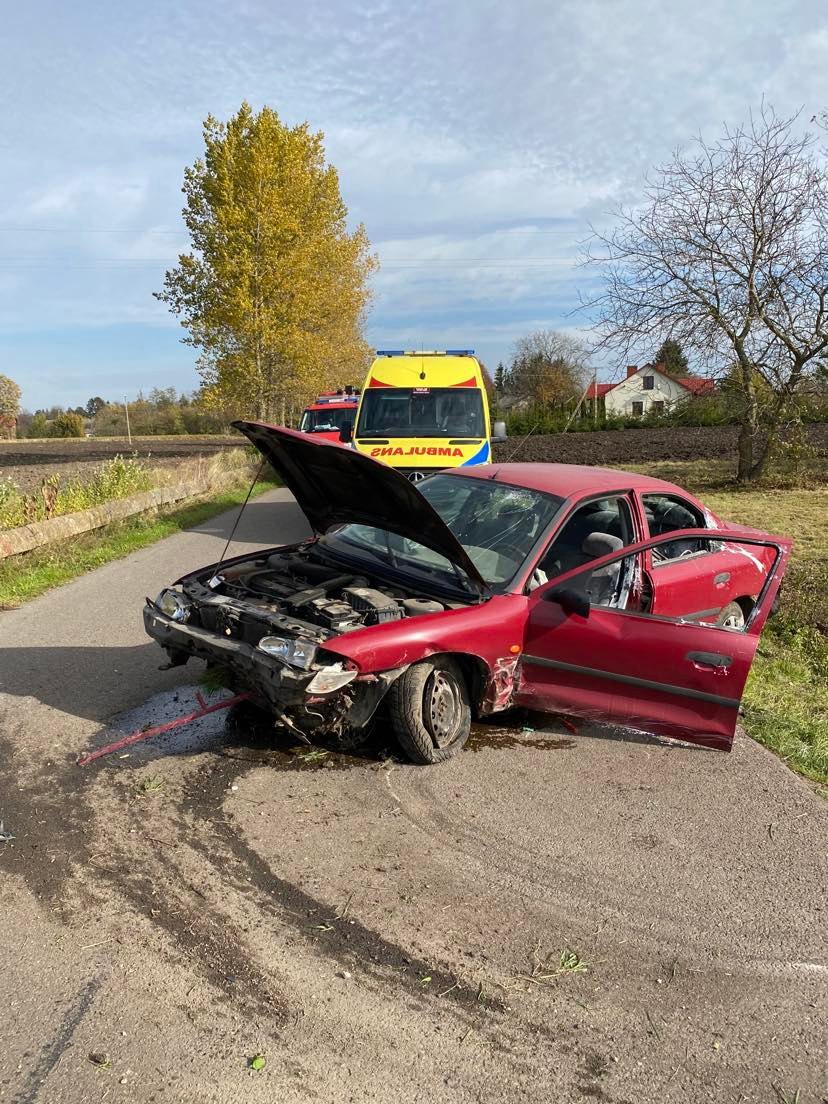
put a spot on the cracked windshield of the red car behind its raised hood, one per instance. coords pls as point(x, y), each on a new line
point(497, 525)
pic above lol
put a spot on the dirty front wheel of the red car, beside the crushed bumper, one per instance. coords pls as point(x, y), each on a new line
point(430, 710)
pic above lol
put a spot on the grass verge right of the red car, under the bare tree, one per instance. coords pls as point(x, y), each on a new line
point(787, 698)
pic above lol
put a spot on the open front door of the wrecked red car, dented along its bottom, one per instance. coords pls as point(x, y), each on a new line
point(592, 650)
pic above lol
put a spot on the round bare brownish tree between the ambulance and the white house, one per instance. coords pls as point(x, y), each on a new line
point(549, 369)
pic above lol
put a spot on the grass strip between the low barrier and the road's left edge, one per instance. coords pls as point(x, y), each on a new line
point(26, 577)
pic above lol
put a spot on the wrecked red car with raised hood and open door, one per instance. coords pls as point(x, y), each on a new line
point(576, 590)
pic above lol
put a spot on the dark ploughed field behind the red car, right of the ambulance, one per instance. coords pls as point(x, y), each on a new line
point(635, 447)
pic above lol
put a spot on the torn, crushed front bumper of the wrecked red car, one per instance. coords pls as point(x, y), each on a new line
point(282, 687)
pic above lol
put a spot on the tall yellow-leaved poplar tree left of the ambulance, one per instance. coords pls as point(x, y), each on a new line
point(275, 290)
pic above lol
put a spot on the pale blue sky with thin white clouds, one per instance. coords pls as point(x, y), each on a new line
point(476, 141)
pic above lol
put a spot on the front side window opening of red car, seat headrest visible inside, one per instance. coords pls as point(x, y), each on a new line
point(598, 528)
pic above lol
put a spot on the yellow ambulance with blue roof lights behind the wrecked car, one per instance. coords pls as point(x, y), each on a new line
point(424, 411)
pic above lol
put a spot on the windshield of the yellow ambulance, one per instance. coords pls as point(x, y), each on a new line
point(422, 412)
